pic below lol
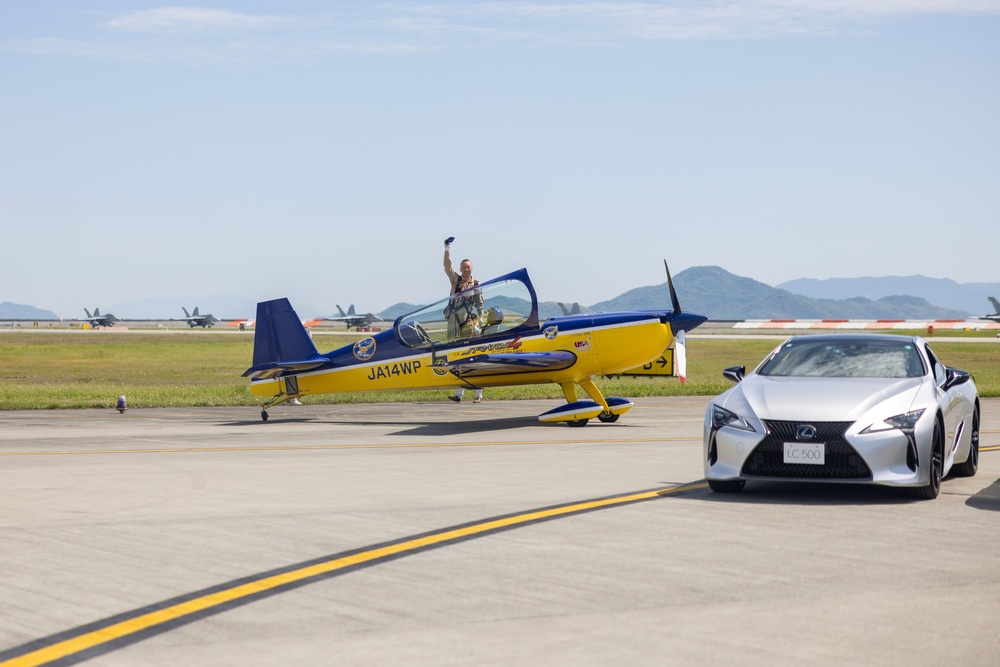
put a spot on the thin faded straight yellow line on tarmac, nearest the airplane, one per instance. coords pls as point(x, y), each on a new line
point(289, 448)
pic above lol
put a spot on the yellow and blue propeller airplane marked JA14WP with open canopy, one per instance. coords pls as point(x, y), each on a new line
point(489, 336)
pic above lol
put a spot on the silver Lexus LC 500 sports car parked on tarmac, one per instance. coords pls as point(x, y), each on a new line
point(859, 408)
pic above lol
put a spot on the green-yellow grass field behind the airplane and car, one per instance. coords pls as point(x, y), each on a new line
point(90, 370)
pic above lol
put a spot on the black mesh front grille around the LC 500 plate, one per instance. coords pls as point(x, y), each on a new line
point(842, 460)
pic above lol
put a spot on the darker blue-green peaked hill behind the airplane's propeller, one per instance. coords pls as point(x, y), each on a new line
point(720, 295)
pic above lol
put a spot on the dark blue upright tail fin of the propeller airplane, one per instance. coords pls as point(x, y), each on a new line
point(280, 342)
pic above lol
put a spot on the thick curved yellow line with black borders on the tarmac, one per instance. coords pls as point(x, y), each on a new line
point(121, 630)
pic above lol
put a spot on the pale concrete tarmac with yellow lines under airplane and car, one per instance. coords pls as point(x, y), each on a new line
point(442, 534)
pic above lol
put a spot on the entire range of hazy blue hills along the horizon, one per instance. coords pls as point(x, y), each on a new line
point(706, 290)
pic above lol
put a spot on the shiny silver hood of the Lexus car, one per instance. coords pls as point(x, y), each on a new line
point(824, 399)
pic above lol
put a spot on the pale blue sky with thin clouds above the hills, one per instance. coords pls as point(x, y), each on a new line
point(323, 151)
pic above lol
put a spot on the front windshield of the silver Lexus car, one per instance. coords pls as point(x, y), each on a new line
point(844, 358)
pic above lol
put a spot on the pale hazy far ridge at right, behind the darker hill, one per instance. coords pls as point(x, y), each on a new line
point(967, 298)
